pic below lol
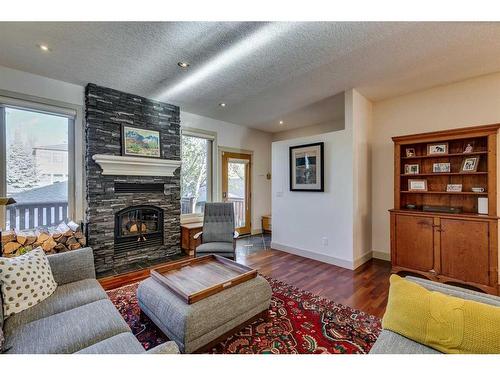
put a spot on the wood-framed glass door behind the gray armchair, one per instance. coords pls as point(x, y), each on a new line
point(236, 188)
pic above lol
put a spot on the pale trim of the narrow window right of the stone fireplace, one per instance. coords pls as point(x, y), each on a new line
point(211, 162)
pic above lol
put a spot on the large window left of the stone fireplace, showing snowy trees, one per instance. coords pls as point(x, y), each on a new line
point(34, 166)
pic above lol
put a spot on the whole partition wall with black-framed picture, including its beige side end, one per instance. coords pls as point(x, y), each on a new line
point(341, 214)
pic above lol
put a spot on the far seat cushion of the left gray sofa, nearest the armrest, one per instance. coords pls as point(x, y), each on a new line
point(66, 297)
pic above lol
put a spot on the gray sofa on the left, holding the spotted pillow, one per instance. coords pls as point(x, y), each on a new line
point(77, 318)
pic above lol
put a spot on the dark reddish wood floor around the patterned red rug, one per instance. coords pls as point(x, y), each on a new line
point(365, 289)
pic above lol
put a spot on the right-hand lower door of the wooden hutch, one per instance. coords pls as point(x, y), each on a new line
point(465, 250)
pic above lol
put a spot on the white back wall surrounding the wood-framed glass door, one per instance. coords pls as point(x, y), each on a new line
point(242, 138)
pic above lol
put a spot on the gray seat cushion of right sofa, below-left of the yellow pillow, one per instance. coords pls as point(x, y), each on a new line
point(391, 343)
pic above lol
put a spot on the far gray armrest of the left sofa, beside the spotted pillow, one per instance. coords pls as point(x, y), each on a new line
point(72, 266)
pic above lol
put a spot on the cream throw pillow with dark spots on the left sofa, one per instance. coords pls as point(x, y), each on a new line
point(26, 280)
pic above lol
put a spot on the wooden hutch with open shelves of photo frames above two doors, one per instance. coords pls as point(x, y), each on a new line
point(459, 247)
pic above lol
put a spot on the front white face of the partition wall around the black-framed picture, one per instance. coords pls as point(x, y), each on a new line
point(300, 219)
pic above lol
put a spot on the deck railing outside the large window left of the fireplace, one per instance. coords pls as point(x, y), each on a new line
point(28, 216)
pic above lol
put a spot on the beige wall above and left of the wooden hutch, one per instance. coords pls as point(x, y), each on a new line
point(466, 103)
